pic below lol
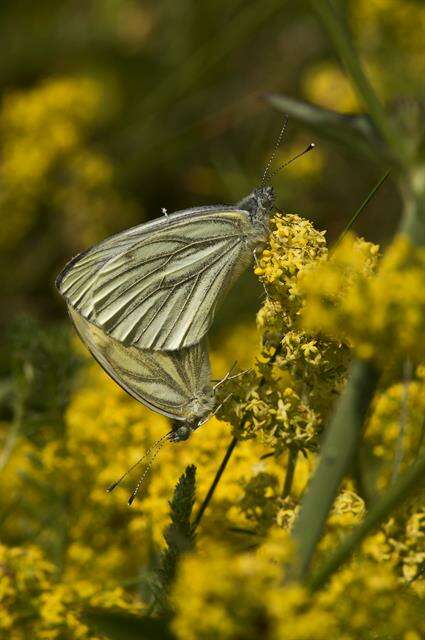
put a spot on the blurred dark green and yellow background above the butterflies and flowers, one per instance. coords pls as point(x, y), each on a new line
point(113, 109)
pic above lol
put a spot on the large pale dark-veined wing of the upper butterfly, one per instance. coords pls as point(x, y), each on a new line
point(158, 285)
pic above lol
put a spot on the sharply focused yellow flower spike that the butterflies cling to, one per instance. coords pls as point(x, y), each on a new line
point(286, 397)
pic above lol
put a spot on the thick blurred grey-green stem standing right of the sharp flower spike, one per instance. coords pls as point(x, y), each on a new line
point(337, 453)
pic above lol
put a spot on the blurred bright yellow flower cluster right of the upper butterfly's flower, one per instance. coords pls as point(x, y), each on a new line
point(382, 317)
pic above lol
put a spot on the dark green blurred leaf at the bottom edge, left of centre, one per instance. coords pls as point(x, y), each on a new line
point(119, 625)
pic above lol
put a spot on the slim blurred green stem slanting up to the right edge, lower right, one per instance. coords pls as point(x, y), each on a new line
point(379, 512)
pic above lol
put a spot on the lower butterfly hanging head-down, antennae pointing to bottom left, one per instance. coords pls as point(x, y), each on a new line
point(176, 384)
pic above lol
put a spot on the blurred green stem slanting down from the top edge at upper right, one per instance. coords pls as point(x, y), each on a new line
point(339, 33)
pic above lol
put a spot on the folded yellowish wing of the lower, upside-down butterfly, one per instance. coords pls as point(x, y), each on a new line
point(166, 382)
